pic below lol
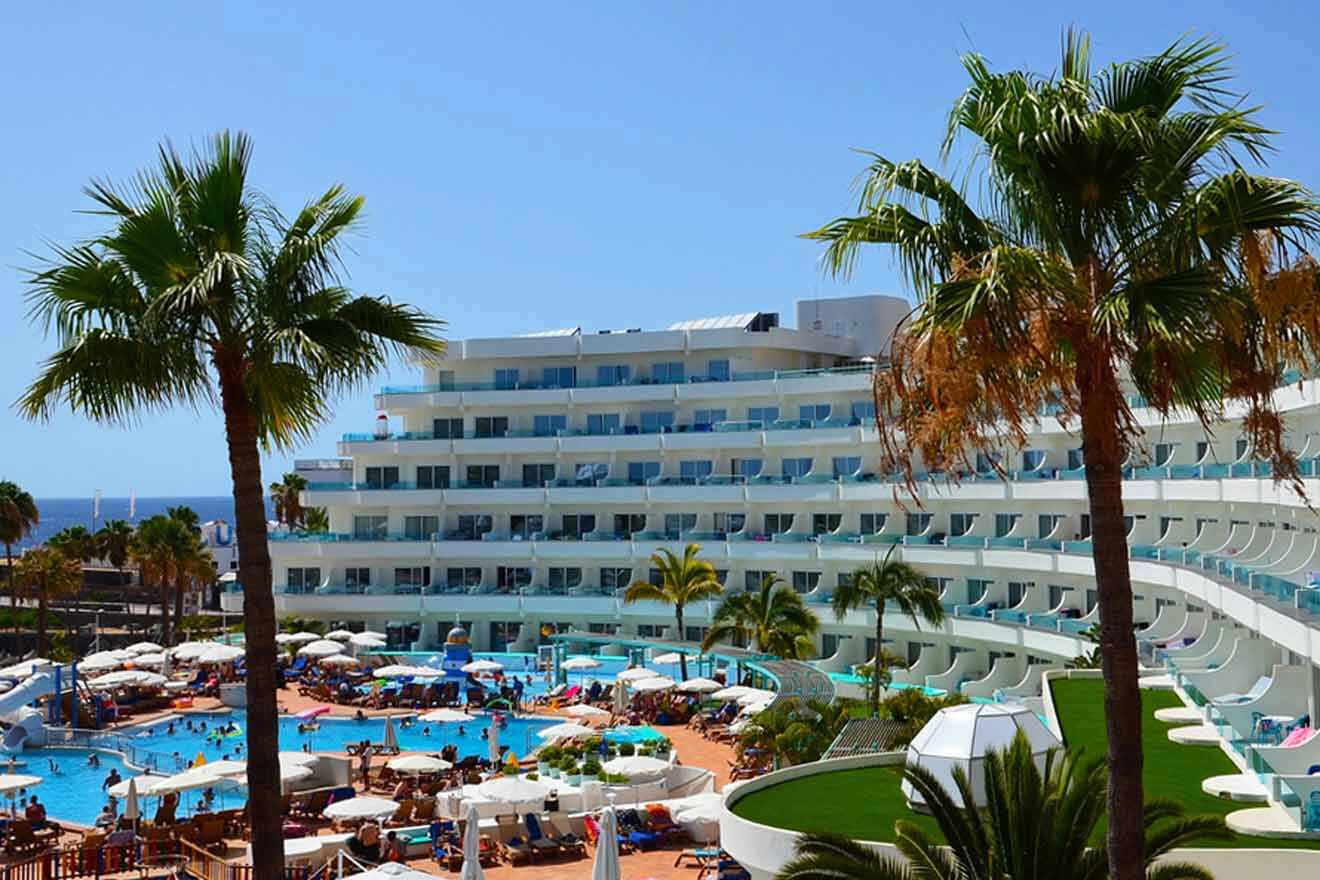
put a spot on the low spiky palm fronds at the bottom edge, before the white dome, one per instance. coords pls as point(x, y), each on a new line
point(1037, 827)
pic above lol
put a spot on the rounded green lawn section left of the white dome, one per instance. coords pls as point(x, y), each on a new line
point(861, 804)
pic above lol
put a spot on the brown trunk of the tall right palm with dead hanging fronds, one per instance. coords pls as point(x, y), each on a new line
point(1103, 457)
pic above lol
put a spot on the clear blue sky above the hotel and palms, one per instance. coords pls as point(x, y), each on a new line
point(527, 167)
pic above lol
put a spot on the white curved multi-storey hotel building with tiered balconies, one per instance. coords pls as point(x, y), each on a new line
point(527, 481)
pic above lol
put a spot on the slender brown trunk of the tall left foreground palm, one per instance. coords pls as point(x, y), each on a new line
point(259, 623)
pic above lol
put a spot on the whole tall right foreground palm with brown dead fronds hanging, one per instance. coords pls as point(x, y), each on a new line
point(1117, 238)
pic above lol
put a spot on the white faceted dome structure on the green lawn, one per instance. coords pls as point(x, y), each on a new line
point(962, 736)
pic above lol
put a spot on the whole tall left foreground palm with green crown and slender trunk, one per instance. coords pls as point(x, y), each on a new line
point(203, 294)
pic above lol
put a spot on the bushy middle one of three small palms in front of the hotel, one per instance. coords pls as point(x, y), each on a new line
point(774, 619)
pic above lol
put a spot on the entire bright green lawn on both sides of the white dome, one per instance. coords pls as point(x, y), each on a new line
point(867, 803)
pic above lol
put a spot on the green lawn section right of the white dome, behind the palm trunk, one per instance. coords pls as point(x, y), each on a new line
point(1171, 770)
